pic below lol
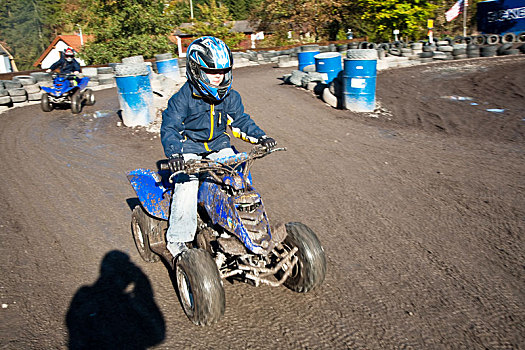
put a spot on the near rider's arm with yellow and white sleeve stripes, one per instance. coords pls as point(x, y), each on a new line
point(241, 124)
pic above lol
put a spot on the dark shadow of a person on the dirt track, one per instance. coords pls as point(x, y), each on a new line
point(116, 312)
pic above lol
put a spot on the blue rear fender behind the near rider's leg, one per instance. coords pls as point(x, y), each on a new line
point(153, 195)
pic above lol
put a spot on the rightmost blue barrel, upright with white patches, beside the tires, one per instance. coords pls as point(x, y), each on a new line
point(359, 84)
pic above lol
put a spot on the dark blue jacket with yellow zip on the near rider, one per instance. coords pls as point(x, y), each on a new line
point(192, 125)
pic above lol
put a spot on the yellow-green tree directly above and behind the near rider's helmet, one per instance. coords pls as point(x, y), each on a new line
point(215, 21)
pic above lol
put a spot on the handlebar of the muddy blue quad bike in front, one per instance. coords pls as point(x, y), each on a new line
point(228, 165)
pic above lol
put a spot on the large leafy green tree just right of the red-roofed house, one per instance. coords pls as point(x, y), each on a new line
point(125, 28)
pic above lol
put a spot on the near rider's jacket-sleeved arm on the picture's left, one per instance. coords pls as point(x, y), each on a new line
point(172, 125)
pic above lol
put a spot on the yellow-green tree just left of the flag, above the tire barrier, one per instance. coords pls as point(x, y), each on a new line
point(408, 16)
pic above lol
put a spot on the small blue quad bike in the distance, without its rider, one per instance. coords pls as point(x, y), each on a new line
point(65, 92)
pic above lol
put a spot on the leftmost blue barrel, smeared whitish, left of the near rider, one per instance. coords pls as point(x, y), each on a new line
point(136, 99)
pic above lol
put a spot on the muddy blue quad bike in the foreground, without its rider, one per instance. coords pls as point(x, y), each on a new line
point(233, 242)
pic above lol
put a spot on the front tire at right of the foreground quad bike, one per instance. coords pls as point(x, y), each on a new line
point(310, 270)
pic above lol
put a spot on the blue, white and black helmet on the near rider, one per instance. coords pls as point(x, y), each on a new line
point(209, 54)
